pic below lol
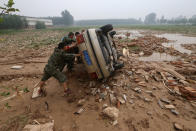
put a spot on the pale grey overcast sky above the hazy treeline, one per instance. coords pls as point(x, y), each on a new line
point(106, 9)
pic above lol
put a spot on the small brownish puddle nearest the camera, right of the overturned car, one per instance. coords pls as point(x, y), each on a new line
point(158, 57)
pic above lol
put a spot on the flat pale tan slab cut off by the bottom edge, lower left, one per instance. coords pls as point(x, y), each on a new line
point(42, 127)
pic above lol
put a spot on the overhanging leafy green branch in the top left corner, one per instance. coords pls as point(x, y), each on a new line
point(8, 8)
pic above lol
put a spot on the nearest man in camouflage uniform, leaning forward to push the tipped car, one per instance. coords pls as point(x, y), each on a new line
point(56, 63)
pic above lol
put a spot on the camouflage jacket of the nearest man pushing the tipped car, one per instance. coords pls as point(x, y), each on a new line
point(58, 60)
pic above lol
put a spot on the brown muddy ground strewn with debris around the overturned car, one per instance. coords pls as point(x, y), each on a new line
point(141, 89)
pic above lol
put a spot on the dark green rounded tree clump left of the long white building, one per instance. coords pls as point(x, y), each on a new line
point(13, 22)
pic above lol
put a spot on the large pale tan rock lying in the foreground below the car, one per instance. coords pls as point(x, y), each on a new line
point(111, 112)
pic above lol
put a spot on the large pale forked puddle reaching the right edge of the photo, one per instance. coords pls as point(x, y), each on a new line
point(178, 39)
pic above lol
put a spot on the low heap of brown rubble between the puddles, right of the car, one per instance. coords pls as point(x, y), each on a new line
point(149, 44)
